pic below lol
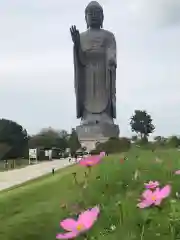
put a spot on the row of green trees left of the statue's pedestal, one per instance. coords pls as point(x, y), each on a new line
point(15, 141)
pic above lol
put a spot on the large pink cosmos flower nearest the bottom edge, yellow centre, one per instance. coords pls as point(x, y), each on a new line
point(75, 227)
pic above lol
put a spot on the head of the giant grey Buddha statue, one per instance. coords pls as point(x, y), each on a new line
point(94, 15)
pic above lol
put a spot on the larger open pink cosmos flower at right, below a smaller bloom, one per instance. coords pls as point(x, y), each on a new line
point(154, 197)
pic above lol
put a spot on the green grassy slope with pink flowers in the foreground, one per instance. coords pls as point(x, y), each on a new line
point(33, 211)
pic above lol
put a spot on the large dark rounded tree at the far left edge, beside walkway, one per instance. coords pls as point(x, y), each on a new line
point(14, 138)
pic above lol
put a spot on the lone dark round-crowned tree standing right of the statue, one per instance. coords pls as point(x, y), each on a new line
point(141, 123)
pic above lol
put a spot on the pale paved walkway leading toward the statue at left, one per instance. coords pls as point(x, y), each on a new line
point(17, 176)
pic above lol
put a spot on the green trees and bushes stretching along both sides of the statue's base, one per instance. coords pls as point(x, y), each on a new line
point(15, 141)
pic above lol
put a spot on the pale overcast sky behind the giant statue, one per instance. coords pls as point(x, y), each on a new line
point(36, 63)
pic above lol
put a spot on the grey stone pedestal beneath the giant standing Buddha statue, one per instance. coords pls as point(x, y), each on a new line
point(91, 134)
